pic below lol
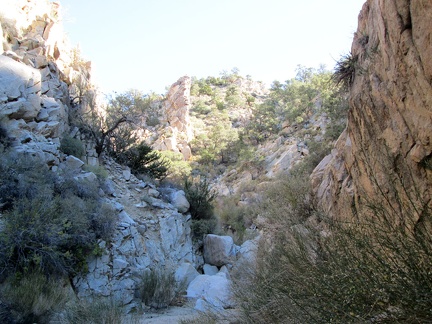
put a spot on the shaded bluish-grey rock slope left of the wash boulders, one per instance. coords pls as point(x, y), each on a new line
point(150, 235)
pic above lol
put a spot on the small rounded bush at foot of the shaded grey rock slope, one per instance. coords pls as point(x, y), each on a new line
point(157, 288)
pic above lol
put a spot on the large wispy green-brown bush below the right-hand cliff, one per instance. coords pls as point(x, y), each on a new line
point(315, 269)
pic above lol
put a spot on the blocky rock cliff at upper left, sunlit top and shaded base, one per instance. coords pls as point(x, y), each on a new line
point(35, 72)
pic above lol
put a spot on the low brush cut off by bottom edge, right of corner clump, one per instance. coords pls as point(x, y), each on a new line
point(96, 311)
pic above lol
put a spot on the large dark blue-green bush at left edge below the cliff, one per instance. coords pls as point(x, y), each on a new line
point(50, 224)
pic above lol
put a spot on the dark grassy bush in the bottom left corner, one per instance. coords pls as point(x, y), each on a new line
point(31, 299)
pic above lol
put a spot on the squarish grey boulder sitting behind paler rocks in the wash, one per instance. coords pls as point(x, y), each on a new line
point(219, 250)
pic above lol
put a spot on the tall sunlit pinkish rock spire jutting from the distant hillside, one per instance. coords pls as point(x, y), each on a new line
point(176, 113)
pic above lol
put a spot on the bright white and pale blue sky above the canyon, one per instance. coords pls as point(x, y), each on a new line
point(149, 44)
